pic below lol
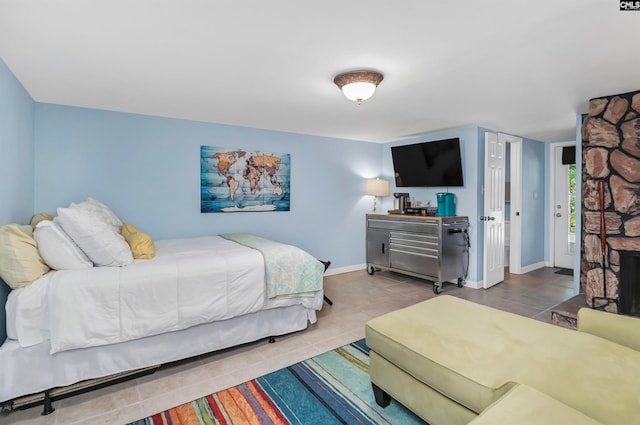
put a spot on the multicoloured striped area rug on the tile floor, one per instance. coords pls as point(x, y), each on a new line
point(331, 388)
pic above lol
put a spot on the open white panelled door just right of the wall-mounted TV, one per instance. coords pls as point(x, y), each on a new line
point(494, 169)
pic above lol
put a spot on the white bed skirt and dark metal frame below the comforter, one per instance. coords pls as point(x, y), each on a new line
point(32, 376)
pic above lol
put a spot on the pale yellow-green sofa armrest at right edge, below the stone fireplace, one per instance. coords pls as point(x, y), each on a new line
point(623, 330)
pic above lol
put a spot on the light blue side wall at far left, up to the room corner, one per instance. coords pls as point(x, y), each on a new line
point(16, 155)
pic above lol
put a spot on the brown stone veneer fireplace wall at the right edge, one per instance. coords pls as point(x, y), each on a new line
point(611, 154)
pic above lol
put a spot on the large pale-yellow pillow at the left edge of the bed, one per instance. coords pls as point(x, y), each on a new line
point(20, 261)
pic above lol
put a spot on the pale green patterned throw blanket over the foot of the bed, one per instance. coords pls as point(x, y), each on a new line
point(289, 270)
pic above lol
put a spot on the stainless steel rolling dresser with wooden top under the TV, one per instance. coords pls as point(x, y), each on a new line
point(432, 248)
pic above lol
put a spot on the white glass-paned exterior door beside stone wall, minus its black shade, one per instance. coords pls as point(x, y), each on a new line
point(563, 212)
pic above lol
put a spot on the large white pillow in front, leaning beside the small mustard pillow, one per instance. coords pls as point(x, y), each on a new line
point(97, 238)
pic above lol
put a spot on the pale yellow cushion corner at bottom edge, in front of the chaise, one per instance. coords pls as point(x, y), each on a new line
point(525, 406)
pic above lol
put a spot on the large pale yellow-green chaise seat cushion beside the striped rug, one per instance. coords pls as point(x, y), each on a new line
point(474, 354)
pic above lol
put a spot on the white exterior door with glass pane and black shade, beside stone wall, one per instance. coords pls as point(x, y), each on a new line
point(563, 205)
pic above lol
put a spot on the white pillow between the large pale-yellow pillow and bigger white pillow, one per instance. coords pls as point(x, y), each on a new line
point(57, 249)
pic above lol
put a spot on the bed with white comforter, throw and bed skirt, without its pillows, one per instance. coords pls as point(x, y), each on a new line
point(193, 297)
